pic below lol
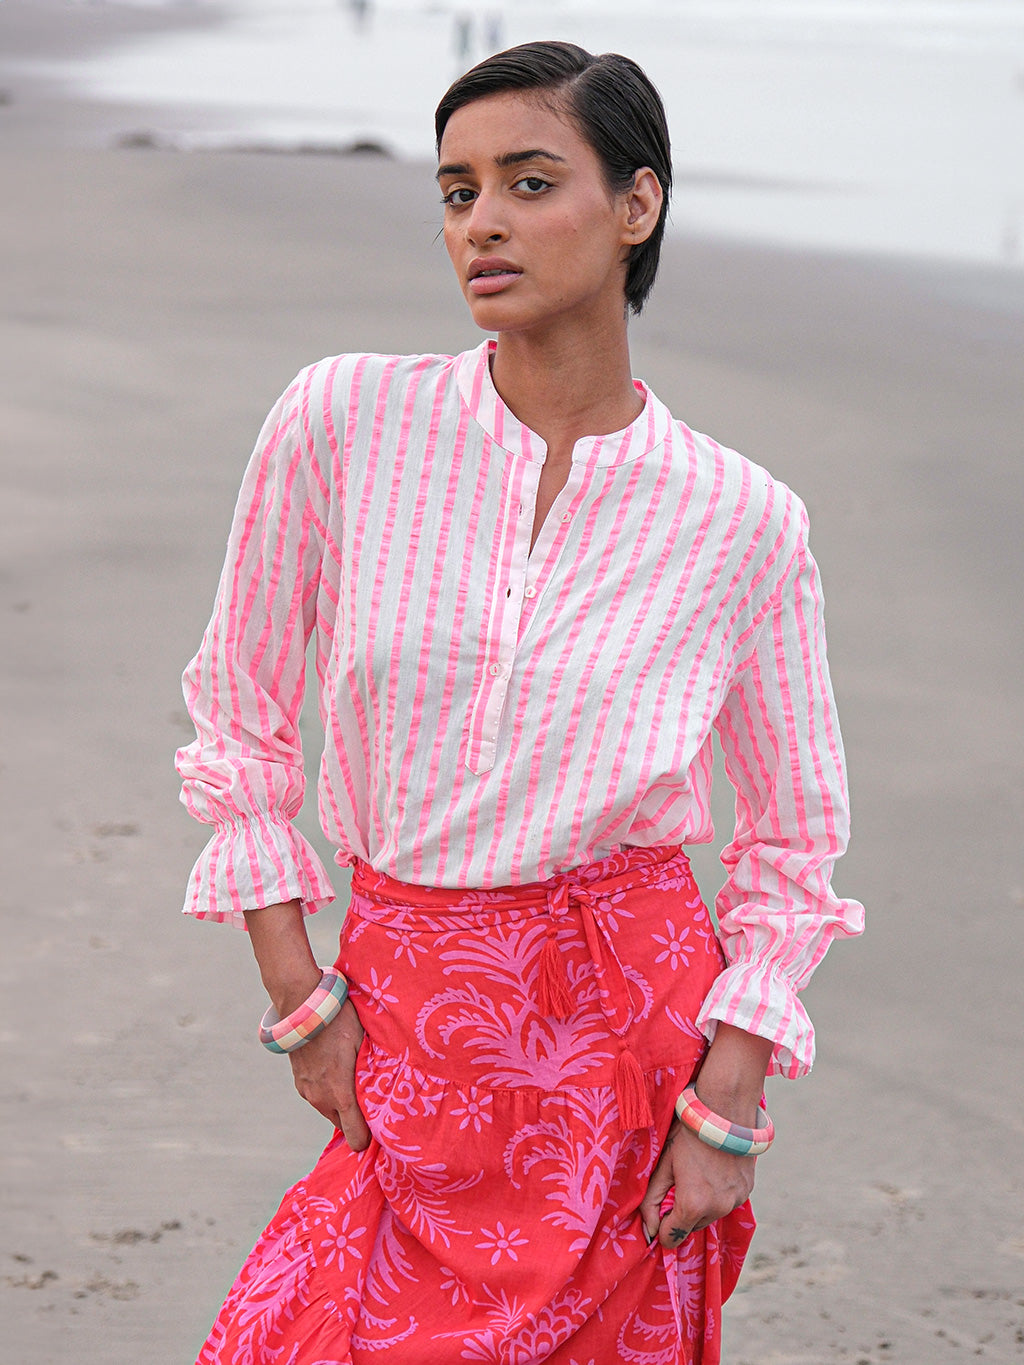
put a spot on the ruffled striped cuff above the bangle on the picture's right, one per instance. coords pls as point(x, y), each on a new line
point(763, 1003)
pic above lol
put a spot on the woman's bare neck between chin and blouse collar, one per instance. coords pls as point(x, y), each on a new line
point(567, 387)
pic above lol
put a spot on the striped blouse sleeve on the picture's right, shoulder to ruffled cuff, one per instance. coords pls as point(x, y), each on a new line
point(778, 913)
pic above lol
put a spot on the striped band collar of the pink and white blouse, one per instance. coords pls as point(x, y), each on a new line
point(503, 427)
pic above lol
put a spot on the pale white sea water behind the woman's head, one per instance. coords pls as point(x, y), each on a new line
point(881, 126)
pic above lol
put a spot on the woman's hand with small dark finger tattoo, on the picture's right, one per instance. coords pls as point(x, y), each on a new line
point(708, 1186)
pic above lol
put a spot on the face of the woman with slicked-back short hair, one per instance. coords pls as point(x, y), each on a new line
point(535, 234)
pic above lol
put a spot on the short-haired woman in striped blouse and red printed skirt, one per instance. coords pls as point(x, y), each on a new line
point(535, 594)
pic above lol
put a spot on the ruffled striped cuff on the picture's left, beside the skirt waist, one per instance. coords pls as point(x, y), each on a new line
point(253, 863)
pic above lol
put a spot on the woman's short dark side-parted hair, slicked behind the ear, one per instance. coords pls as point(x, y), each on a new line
point(615, 107)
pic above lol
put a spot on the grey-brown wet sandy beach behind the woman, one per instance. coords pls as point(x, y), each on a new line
point(155, 304)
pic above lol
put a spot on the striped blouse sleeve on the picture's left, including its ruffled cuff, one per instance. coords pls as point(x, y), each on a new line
point(244, 773)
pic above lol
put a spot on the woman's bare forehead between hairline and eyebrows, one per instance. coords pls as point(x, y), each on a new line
point(507, 124)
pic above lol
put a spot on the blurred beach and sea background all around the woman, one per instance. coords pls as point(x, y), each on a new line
point(199, 200)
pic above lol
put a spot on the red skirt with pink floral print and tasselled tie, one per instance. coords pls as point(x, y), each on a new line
point(524, 1052)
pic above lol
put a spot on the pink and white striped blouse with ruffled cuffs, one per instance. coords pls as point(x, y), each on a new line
point(494, 715)
